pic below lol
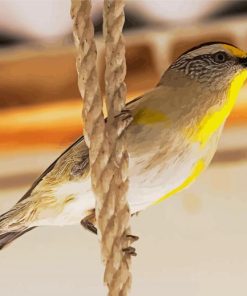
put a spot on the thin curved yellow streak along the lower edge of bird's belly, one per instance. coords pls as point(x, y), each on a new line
point(198, 168)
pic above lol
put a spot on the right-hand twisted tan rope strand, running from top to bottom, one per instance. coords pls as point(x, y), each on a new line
point(120, 279)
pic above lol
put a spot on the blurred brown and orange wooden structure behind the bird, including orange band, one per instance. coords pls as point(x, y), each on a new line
point(40, 105)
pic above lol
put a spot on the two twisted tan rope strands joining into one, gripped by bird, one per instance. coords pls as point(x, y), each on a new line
point(106, 142)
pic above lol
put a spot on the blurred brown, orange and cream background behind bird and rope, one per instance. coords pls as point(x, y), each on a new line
point(194, 244)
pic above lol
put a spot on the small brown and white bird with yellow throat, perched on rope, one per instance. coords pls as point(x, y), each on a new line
point(172, 138)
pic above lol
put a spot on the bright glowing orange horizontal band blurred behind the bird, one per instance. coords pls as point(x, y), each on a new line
point(58, 124)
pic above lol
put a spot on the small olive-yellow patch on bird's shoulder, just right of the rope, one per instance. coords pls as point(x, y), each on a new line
point(149, 116)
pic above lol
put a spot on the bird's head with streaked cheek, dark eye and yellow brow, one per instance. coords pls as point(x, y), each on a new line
point(214, 65)
